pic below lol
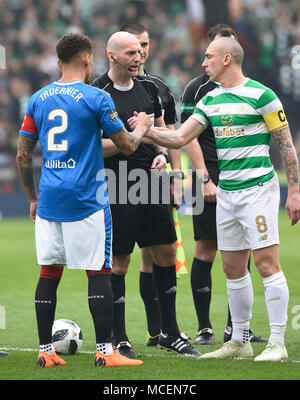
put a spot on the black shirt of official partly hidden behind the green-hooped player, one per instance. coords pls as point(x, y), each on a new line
point(194, 91)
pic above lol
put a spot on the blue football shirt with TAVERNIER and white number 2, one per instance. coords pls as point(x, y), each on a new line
point(67, 119)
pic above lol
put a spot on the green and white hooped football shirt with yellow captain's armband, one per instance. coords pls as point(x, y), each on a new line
point(242, 119)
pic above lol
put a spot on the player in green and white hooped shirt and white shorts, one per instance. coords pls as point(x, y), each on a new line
point(244, 115)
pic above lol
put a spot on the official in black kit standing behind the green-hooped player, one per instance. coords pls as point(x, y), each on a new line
point(204, 157)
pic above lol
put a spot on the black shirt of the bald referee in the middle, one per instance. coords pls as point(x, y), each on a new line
point(142, 96)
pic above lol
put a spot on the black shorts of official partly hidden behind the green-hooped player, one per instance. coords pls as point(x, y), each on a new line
point(204, 224)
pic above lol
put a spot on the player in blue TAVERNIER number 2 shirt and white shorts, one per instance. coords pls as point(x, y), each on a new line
point(71, 210)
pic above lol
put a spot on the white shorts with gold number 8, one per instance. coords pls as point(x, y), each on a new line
point(248, 219)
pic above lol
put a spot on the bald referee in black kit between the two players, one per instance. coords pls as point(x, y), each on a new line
point(149, 225)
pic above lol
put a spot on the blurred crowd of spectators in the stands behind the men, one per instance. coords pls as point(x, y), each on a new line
point(29, 29)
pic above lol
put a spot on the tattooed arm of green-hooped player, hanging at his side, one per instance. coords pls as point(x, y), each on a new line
point(288, 153)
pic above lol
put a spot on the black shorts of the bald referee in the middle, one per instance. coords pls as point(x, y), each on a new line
point(144, 224)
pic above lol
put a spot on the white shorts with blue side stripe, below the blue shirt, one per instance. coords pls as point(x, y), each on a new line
point(84, 244)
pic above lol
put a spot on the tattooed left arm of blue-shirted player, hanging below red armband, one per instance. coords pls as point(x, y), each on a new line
point(26, 146)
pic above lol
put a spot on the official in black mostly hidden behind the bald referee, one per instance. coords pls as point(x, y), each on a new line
point(147, 287)
